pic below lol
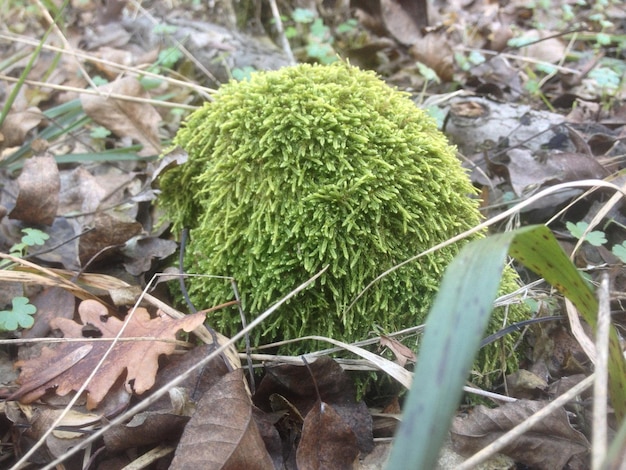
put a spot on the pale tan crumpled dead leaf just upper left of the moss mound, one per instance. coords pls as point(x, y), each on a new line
point(140, 121)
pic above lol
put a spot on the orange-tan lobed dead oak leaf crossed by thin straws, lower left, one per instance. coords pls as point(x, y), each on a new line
point(139, 359)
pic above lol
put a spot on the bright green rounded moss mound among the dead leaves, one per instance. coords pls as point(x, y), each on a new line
point(311, 166)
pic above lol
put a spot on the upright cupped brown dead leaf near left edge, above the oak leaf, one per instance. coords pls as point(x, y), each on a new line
point(38, 197)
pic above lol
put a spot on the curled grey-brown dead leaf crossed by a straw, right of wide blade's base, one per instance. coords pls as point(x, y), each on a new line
point(549, 445)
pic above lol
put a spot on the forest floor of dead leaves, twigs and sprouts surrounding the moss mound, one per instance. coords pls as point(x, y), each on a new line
point(533, 95)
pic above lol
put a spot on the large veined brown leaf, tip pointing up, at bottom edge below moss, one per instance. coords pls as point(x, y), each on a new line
point(222, 434)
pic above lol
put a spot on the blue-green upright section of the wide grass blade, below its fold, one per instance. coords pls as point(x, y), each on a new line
point(454, 329)
